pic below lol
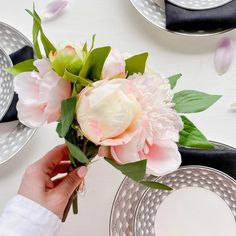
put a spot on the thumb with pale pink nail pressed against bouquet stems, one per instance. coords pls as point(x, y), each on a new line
point(72, 181)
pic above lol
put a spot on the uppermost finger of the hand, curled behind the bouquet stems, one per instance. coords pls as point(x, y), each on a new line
point(53, 157)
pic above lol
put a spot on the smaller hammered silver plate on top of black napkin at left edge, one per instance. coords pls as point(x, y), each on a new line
point(6, 87)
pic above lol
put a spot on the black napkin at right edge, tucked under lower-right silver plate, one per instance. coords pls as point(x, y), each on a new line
point(223, 160)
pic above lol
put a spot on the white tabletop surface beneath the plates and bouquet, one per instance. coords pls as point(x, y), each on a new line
point(117, 23)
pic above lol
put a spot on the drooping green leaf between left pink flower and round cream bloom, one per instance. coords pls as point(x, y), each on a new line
point(67, 115)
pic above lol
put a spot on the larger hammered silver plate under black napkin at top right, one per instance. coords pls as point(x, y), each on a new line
point(155, 14)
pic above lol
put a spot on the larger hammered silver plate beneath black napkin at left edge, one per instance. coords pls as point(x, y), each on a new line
point(12, 40)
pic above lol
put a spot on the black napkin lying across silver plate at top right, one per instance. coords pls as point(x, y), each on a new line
point(223, 17)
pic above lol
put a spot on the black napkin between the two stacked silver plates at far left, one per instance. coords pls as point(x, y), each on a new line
point(23, 54)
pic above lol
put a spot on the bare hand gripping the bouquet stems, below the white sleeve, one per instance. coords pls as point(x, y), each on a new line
point(37, 183)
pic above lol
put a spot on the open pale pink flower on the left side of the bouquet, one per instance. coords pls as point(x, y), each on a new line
point(40, 94)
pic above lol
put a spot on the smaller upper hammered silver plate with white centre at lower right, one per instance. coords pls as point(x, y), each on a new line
point(202, 182)
